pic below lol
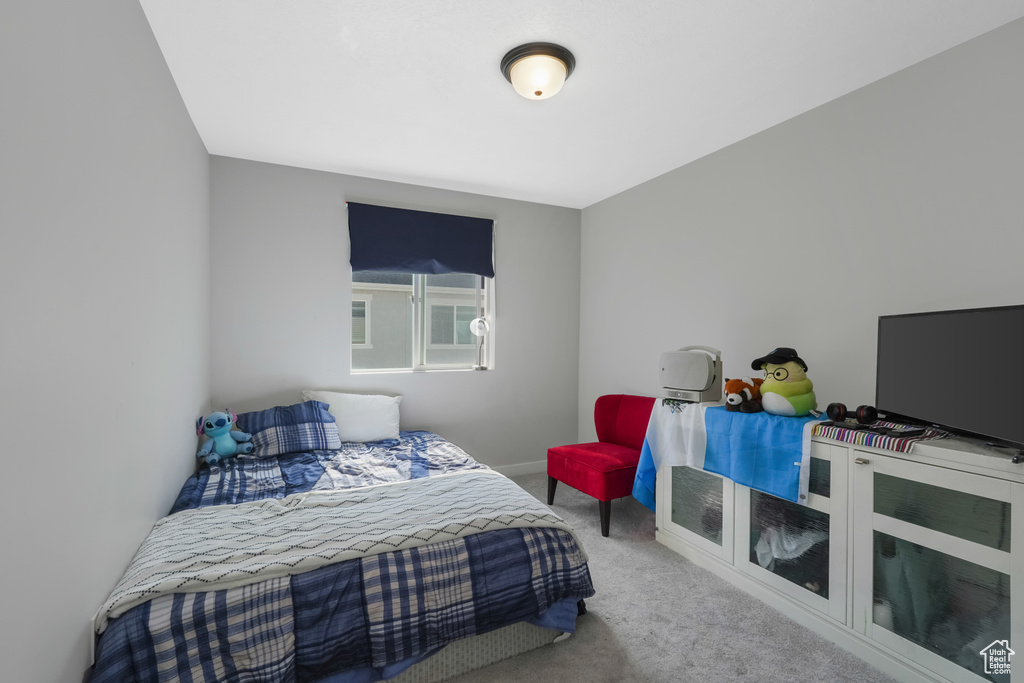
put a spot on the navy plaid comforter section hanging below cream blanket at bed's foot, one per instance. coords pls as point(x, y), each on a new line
point(371, 617)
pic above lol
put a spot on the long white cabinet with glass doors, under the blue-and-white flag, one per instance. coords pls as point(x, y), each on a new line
point(909, 561)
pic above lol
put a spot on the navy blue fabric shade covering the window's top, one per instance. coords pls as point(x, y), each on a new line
point(407, 241)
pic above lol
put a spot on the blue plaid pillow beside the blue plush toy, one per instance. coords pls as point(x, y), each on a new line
point(297, 429)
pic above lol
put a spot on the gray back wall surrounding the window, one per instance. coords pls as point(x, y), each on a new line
point(281, 284)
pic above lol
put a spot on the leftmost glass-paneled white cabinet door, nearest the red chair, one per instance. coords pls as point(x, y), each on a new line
point(698, 507)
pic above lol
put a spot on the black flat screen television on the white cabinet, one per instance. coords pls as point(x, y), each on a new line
point(959, 370)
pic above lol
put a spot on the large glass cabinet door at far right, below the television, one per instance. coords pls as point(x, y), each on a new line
point(934, 554)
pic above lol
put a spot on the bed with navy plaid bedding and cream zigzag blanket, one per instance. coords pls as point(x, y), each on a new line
point(347, 563)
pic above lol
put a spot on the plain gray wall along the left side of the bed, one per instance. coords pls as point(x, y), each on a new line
point(104, 340)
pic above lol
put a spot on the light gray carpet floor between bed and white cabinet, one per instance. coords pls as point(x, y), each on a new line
point(659, 618)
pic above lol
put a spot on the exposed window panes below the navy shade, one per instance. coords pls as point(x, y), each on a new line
point(419, 322)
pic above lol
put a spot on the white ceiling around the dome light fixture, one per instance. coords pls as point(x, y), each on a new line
point(411, 91)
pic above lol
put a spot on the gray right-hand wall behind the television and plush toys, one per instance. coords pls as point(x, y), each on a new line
point(905, 196)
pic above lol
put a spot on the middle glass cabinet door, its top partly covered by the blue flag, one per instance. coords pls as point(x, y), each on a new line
point(800, 550)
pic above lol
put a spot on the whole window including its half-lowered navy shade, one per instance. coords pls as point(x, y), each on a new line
point(429, 277)
